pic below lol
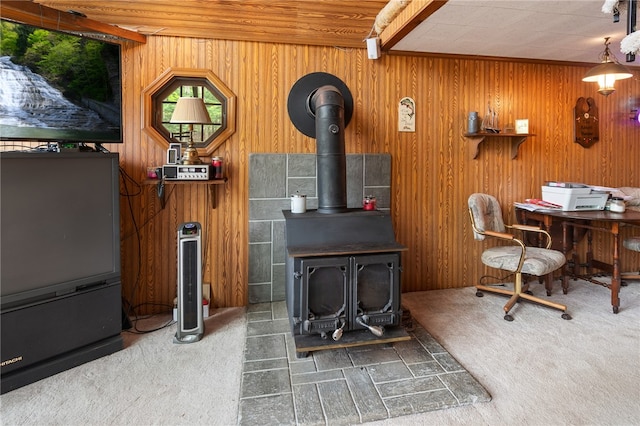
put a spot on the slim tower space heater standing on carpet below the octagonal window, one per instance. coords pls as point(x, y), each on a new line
point(190, 326)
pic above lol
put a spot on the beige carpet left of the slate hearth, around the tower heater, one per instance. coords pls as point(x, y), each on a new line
point(151, 381)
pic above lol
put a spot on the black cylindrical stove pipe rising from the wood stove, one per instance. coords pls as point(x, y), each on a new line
point(331, 164)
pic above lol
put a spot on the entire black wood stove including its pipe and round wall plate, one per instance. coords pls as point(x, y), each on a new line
point(343, 265)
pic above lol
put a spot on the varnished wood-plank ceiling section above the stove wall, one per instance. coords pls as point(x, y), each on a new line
point(319, 22)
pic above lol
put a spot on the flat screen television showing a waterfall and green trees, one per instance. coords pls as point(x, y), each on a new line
point(58, 86)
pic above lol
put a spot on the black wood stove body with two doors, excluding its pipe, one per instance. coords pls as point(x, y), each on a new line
point(342, 275)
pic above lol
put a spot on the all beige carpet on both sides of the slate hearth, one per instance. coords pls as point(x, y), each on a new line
point(539, 369)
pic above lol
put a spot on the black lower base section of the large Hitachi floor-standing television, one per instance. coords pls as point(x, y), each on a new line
point(59, 334)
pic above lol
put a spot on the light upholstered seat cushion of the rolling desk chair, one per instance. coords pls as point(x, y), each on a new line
point(538, 261)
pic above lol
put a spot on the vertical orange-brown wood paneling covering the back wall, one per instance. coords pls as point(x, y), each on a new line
point(432, 170)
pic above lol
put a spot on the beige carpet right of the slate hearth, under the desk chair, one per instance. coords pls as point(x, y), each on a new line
point(539, 369)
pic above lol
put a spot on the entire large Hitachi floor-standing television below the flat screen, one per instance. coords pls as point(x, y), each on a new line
point(61, 296)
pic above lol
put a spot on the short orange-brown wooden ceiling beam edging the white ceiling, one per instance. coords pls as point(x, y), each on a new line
point(407, 20)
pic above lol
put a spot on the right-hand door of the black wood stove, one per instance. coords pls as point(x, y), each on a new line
point(376, 290)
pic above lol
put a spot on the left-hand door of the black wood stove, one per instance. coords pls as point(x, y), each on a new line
point(324, 294)
